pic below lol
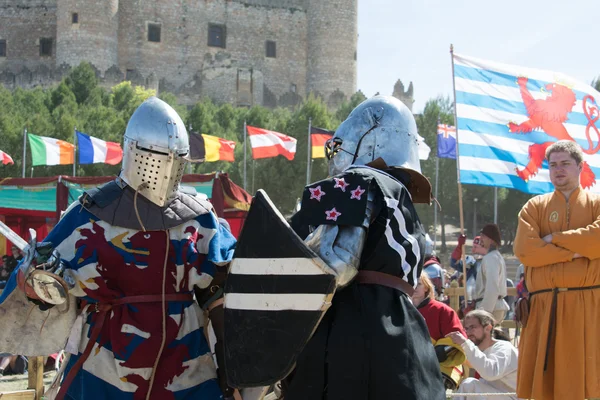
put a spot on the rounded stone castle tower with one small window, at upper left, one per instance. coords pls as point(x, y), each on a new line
point(87, 31)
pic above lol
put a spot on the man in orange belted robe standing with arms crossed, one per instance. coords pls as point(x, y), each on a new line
point(558, 241)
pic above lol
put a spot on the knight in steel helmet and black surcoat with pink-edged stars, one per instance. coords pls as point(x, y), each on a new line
point(371, 343)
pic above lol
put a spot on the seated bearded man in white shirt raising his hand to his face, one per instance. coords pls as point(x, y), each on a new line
point(494, 360)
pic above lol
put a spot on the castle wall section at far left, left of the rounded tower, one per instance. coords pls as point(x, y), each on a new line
point(22, 24)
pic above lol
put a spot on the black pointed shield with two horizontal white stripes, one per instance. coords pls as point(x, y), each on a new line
point(276, 293)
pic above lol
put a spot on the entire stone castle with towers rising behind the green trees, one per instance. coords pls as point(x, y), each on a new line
point(243, 52)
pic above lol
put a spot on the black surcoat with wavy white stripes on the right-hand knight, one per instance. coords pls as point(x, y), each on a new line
point(372, 343)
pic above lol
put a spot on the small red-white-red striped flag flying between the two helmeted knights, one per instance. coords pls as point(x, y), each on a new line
point(266, 144)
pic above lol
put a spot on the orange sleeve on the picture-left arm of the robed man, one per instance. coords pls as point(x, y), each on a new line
point(529, 247)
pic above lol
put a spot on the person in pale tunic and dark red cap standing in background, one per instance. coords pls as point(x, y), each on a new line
point(490, 284)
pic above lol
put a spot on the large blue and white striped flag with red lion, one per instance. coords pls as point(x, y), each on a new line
point(509, 115)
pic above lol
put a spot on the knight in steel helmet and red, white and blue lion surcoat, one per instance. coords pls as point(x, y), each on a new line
point(133, 251)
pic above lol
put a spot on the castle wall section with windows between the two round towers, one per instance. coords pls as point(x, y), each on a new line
point(183, 59)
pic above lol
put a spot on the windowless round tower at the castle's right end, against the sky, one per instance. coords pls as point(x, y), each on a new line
point(332, 34)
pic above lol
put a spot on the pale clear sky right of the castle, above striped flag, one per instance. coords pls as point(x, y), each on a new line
point(410, 40)
